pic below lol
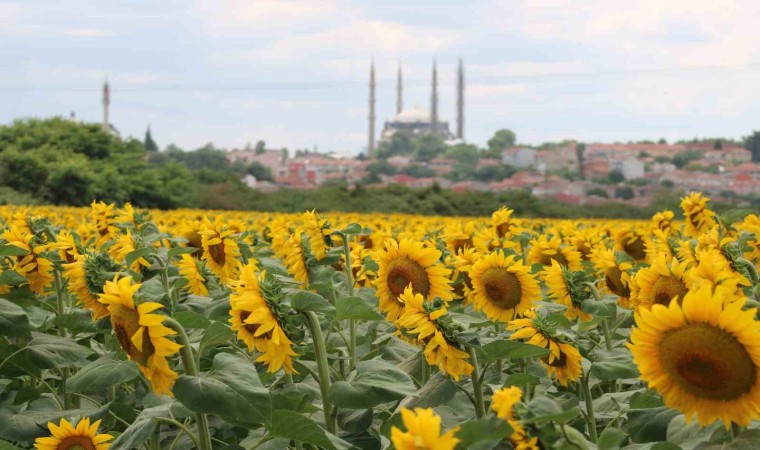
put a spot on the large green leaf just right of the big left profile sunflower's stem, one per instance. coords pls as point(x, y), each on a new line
point(231, 390)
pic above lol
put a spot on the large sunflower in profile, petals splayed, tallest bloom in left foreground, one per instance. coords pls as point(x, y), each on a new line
point(140, 333)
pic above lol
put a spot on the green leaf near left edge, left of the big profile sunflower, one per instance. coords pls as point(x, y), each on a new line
point(48, 352)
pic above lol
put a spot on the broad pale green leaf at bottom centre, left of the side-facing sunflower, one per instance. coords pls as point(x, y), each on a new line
point(373, 383)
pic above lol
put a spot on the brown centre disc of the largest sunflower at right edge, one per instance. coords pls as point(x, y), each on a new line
point(707, 362)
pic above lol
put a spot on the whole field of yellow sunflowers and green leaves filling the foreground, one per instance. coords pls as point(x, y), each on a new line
point(131, 329)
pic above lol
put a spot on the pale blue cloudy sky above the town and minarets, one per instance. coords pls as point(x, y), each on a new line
point(295, 73)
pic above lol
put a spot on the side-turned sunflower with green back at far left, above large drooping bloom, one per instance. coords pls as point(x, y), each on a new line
point(87, 276)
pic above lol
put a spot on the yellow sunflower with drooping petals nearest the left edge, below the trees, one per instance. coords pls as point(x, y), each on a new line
point(36, 269)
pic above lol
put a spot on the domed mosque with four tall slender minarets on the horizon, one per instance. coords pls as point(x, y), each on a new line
point(416, 121)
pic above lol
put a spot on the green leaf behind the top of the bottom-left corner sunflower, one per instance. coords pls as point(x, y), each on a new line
point(28, 425)
